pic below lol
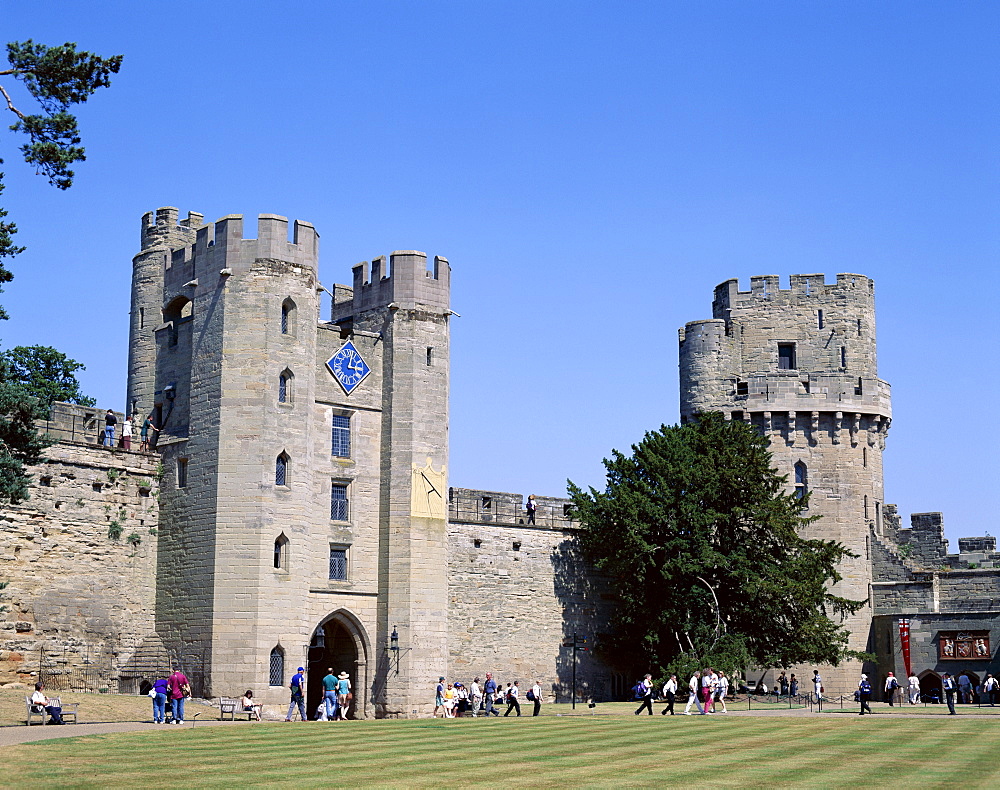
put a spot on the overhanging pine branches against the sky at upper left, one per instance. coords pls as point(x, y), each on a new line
point(56, 78)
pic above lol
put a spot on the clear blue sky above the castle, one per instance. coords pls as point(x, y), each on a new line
point(591, 170)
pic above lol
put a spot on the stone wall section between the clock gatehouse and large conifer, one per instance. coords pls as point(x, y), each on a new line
point(517, 595)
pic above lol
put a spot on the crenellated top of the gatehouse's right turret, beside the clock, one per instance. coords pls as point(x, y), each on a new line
point(405, 283)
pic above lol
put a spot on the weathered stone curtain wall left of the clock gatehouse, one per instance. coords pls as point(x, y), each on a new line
point(79, 562)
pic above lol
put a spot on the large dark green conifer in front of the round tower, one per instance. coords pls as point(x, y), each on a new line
point(700, 542)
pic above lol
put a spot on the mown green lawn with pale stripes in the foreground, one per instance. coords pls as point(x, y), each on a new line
point(599, 751)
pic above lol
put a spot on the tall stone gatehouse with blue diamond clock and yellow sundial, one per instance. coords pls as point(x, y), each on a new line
point(299, 474)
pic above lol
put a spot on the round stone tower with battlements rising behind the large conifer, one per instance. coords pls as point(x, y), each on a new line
point(800, 366)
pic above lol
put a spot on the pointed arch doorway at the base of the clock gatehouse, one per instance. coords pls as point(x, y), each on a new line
point(340, 643)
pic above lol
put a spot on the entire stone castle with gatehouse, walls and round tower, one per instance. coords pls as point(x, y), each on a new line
point(299, 512)
